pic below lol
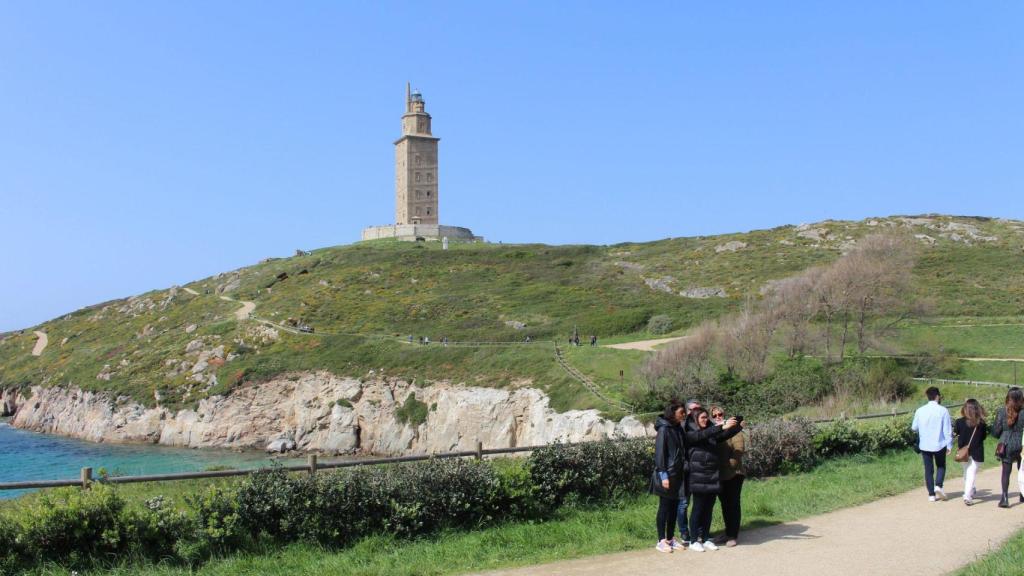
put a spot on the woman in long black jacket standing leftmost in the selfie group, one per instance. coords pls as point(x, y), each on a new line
point(668, 479)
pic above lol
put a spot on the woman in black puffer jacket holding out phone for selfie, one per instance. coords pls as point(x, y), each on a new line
point(702, 439)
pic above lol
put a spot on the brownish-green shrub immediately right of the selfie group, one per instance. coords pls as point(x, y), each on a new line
point(780, 446)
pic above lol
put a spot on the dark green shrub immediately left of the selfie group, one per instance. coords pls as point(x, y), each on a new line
point(592, 472)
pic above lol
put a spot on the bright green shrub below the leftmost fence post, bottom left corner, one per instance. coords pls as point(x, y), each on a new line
point(74, 526)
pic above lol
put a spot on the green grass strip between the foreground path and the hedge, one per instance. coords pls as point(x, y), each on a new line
point(575, 533)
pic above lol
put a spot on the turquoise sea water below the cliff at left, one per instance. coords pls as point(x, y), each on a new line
point(26, 456)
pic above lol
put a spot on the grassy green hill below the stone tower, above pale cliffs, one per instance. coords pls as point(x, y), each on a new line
point(364, 300)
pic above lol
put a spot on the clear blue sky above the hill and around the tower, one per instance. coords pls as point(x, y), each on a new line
point(151, 144)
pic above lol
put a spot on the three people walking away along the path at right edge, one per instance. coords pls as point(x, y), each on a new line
point(936, 435)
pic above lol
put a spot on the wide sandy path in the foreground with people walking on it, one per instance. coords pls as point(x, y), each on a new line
point(905, 536)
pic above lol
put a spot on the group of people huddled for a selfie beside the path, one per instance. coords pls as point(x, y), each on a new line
point(699, 459)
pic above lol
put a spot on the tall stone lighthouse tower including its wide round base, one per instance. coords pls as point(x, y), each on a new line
point(416, 202)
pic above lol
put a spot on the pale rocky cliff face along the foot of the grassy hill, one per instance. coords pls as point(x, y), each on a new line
point(318, 412)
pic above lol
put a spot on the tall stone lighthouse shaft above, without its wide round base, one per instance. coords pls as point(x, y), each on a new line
point(416, 166)
